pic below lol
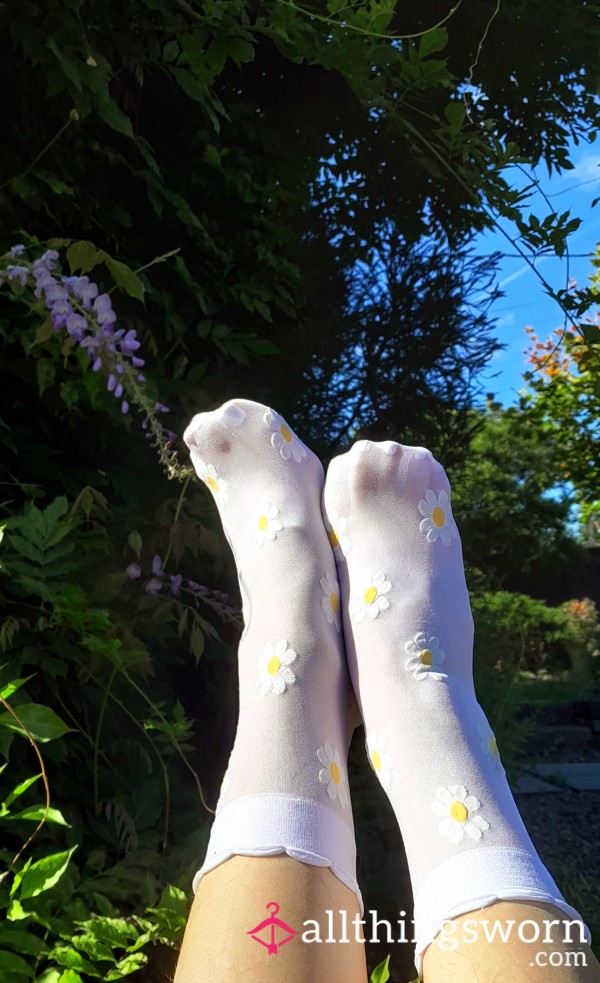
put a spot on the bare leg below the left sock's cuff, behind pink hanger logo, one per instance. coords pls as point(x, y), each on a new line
point(231, 900)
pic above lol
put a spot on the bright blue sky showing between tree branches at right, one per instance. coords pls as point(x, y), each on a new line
point(525, 301)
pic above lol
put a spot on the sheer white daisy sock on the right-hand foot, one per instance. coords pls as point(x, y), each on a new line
point(409, 640)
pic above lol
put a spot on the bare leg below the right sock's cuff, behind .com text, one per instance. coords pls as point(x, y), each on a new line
point(463, 953)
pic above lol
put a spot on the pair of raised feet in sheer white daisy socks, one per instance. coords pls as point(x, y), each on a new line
point(357, 584)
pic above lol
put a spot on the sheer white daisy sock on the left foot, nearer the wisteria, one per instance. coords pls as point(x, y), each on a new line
point(285, 789)
